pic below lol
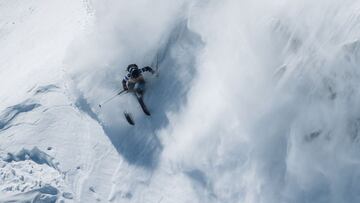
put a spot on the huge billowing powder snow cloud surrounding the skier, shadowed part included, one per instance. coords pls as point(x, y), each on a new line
point(256, 101)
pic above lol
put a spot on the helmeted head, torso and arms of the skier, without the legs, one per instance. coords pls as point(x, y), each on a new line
point(134, 80)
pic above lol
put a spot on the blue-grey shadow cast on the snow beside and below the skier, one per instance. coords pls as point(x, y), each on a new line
point(176, 61)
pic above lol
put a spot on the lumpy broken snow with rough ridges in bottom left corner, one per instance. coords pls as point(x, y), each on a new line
point(31, 175)
